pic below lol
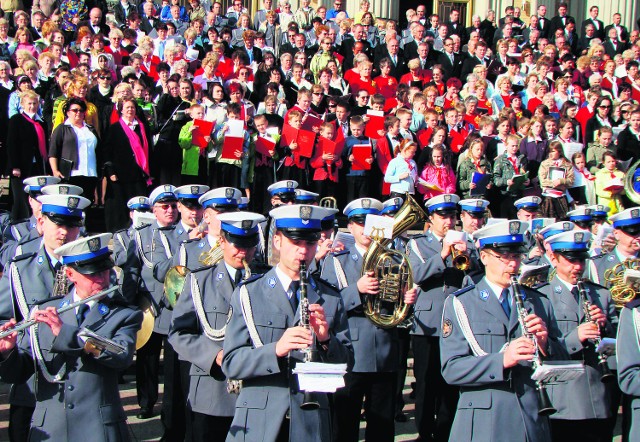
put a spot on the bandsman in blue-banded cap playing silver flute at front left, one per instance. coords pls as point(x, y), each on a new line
point(76, 386)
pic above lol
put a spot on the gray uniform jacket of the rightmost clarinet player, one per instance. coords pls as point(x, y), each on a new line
point(585, 397)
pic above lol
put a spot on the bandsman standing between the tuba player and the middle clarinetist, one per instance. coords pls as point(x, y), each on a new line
point(434, 273)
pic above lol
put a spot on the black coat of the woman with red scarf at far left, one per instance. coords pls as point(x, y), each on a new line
point(22, 147)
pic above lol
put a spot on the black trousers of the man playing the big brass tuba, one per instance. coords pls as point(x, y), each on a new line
point(378, 391)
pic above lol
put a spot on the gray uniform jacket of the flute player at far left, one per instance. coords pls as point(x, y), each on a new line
point(86, 405)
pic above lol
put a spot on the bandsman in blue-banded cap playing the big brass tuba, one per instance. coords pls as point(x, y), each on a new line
point(376, 349)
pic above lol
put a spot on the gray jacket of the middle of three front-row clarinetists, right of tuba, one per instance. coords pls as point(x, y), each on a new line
point(496, 404)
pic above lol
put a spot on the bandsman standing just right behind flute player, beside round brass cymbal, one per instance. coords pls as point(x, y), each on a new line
point(149, 256)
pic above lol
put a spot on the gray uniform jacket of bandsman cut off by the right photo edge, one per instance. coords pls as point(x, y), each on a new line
point(628, 358)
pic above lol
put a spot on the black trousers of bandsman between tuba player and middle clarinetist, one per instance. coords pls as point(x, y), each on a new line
point(436, 401)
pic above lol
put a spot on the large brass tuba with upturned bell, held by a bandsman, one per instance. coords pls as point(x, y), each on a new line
point(392, 269)
